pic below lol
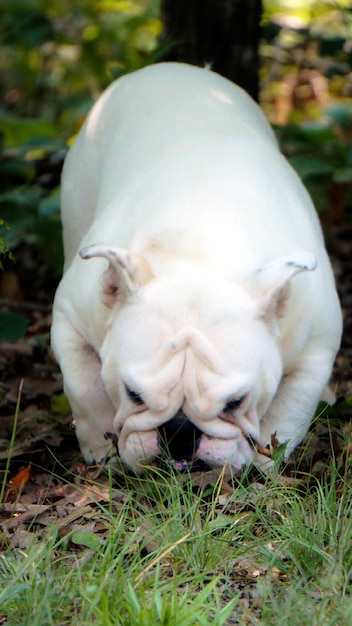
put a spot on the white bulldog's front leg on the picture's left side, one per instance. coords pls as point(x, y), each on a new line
point(91, 407)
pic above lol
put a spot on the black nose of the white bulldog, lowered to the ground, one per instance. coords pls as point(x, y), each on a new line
point(179, 438)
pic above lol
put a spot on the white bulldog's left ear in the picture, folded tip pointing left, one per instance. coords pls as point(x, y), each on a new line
point(124, 274)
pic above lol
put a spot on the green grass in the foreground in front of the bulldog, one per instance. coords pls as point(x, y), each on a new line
point(172, 555)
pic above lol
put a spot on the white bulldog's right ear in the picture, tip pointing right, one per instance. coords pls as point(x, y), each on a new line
point(271, 283)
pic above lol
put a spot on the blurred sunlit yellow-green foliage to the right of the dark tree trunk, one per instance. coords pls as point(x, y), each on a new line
point(306, 91)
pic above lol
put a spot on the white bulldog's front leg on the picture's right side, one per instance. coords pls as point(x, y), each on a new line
point(291, 411)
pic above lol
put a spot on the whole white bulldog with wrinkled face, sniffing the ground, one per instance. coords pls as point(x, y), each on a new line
point(206, 319)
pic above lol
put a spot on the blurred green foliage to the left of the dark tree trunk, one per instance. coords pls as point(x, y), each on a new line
point(57, 58)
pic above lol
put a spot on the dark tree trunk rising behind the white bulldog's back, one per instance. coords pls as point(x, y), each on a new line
point(223, 33)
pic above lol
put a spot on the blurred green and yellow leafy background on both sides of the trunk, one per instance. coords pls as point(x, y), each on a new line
point(57, 57)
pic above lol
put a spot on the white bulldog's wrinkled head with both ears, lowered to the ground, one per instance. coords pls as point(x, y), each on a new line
point(191, 361)
